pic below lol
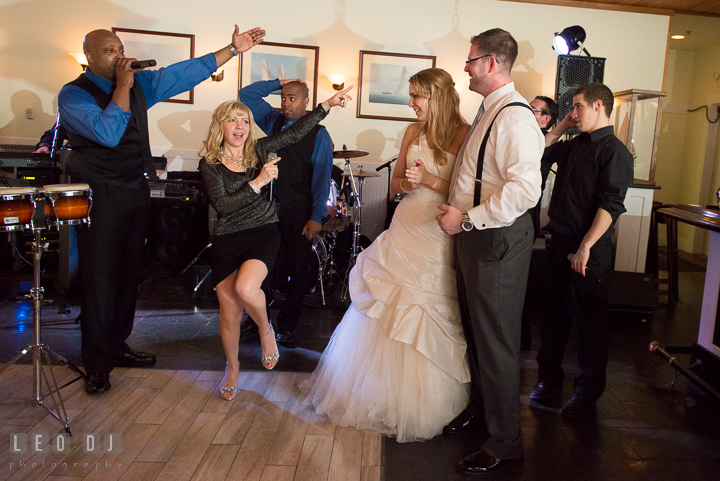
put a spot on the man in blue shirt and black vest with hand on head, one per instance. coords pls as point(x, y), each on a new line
point(301, 189)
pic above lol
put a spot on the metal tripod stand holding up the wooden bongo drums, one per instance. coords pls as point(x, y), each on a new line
point(40, 351)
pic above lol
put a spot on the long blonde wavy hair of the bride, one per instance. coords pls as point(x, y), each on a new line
point(443, 119)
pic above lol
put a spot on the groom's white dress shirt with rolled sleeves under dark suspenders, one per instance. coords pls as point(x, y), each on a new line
point(511, 173)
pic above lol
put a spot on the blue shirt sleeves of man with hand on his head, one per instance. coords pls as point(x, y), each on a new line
point(253, 96)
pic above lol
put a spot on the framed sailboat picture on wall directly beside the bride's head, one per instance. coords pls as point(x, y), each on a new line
point(383, 84)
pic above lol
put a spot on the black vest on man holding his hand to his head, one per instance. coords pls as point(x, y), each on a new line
point(294, 182)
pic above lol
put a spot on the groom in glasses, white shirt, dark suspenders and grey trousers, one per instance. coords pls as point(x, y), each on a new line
point(496, 180)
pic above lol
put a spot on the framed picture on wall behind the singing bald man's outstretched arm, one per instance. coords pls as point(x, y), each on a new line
point(164, 47)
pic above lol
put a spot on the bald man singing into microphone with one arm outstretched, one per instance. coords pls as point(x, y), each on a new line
point(105, 113)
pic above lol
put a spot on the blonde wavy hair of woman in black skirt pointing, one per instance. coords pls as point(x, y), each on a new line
point(215, 138)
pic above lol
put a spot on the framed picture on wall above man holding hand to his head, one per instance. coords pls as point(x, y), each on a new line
point(268, 61)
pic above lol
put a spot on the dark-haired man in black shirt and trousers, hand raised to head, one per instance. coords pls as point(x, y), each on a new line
point(594, 172)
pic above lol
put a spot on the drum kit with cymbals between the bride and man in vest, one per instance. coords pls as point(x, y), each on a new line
point(345, 208)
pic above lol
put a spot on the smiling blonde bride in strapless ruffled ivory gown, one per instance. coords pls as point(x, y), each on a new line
point(396, 363)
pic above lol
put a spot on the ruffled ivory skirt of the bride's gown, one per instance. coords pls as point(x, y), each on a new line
point(396, 363)
